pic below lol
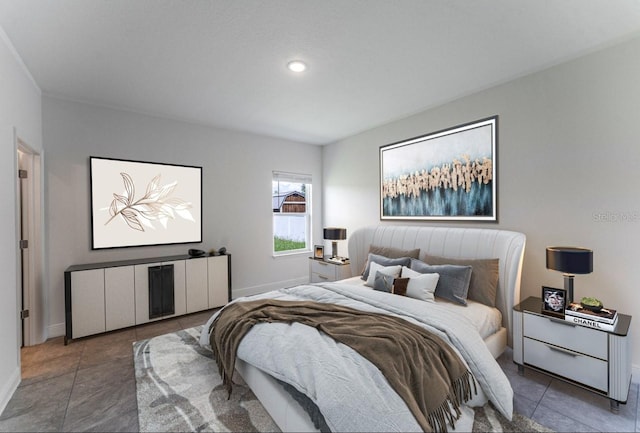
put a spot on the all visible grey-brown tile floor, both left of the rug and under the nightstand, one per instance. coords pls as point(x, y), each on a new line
point(89, 385)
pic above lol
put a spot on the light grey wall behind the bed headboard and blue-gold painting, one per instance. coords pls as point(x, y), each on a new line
point(568, 165)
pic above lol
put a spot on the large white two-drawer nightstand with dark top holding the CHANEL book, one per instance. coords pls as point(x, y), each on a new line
point(597, 360)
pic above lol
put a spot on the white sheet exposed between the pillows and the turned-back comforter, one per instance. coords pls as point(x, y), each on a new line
point(486, 320)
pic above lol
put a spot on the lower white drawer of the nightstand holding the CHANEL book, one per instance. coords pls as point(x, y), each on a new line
point(572, 365)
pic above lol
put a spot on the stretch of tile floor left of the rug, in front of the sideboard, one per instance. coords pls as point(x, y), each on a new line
point(88, 385)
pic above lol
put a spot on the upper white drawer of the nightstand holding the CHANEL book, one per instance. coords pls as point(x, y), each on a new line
point(588, 341)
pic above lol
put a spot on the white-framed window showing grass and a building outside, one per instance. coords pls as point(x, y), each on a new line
point(291, 199)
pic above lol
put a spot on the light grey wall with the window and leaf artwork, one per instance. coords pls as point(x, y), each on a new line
point(237, 171)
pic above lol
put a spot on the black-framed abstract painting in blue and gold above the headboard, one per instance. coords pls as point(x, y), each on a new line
point(445, 175)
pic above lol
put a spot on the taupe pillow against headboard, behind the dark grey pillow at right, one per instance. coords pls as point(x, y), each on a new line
point(483, 286)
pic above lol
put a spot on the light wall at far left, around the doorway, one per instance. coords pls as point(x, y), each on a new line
point(20, 117)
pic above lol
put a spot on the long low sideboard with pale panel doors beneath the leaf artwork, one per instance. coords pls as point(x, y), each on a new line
point(101, 297)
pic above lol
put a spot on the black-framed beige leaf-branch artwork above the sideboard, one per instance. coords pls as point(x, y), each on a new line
point(141, 203)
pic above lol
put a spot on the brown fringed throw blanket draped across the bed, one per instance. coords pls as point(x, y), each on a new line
point(425, 372)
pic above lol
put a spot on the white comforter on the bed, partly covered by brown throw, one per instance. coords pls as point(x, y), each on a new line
point(279, 350)
